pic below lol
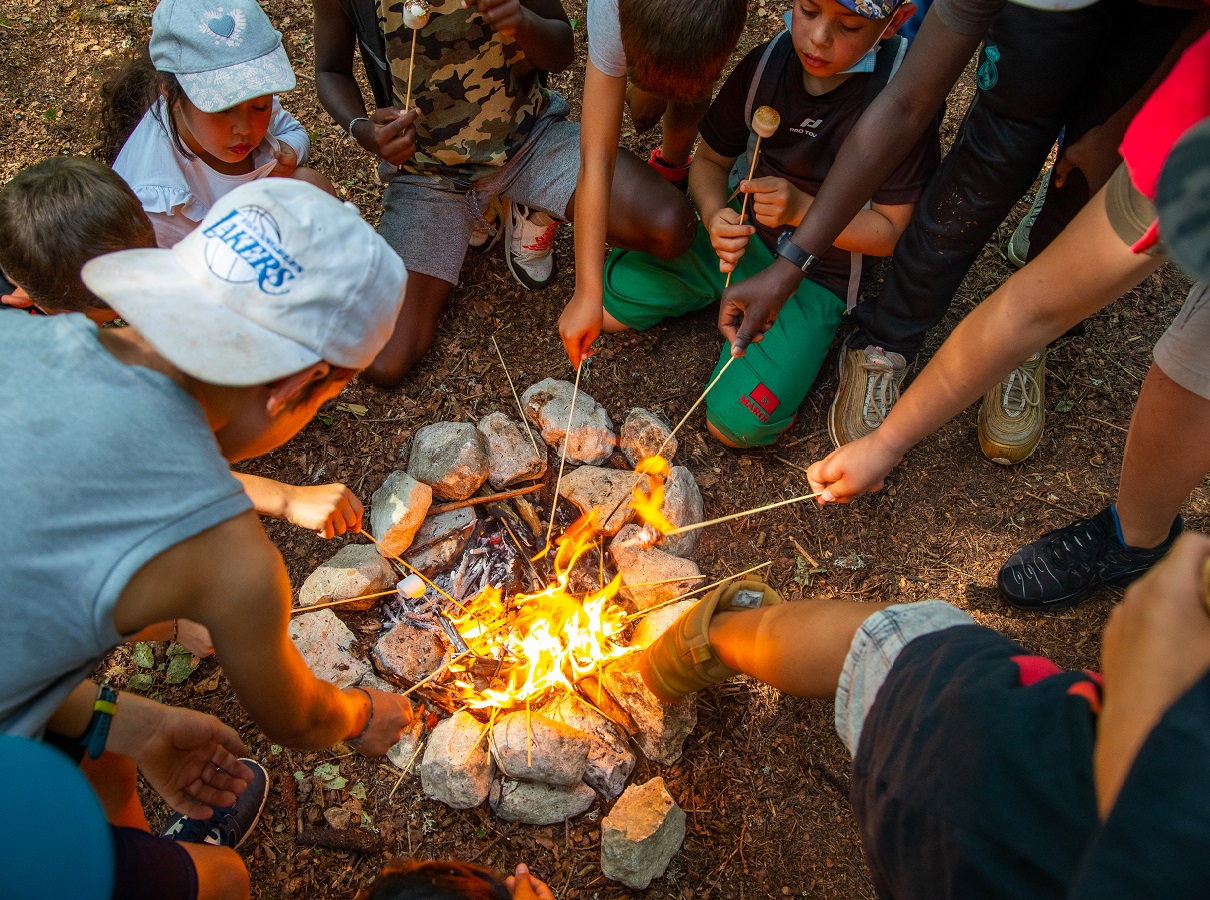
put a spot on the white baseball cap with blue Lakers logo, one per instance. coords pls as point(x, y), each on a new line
point(279, 276)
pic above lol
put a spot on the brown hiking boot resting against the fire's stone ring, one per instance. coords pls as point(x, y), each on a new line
point(682, 661)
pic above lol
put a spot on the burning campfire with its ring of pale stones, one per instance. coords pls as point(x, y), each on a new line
point(515, 613)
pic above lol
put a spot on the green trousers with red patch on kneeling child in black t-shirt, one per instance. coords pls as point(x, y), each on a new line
point(758, 397)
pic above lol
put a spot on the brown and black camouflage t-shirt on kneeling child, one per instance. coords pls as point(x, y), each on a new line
point(479, 96)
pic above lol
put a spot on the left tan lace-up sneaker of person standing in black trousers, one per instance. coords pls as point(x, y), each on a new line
point(869, 388)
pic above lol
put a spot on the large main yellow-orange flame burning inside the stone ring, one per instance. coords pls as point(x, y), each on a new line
point(545, 641)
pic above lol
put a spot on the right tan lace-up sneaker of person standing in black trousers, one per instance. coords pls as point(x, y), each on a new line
point(1013, 413)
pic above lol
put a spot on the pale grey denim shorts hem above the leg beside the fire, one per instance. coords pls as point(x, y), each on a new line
point(875, 649)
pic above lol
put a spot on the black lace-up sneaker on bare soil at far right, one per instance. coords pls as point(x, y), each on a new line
point(1064, 567)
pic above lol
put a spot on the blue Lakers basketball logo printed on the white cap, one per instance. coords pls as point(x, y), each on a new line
point(246, 246)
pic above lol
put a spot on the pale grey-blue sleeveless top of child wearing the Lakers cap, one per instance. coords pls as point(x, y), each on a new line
point(103, 468)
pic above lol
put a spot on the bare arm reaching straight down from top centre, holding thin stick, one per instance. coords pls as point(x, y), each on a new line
point(600, 132)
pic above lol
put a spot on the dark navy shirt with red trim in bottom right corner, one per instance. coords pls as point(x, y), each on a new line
point(973, 778)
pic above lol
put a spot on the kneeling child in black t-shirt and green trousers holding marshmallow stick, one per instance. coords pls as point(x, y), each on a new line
point(820, 76)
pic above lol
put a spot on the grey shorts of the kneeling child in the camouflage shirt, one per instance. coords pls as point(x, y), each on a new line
point(430, 227)
